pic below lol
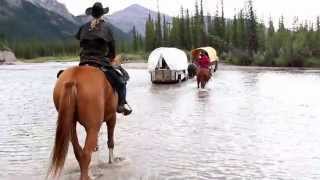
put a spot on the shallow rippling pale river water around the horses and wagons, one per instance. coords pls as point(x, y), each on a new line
point(249, 123)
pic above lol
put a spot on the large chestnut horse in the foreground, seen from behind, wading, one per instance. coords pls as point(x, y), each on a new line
point(82, 95)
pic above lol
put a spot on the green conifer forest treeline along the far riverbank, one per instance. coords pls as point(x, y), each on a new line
point(244, 39)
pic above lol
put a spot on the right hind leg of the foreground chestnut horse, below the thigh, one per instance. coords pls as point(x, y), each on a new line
point(85, 159)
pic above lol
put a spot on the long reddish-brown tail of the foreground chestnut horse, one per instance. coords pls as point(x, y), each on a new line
point(67, 108)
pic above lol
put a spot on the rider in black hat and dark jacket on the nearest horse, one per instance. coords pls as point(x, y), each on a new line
point(98, 49)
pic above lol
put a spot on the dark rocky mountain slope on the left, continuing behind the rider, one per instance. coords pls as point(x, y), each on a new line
point(28, 19)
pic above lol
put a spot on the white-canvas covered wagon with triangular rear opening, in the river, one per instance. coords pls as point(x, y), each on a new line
point(168, 65)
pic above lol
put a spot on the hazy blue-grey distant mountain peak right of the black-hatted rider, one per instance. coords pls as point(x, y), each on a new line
point(134, 15)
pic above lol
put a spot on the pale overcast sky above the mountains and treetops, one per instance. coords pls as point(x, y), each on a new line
point(304, 9)
